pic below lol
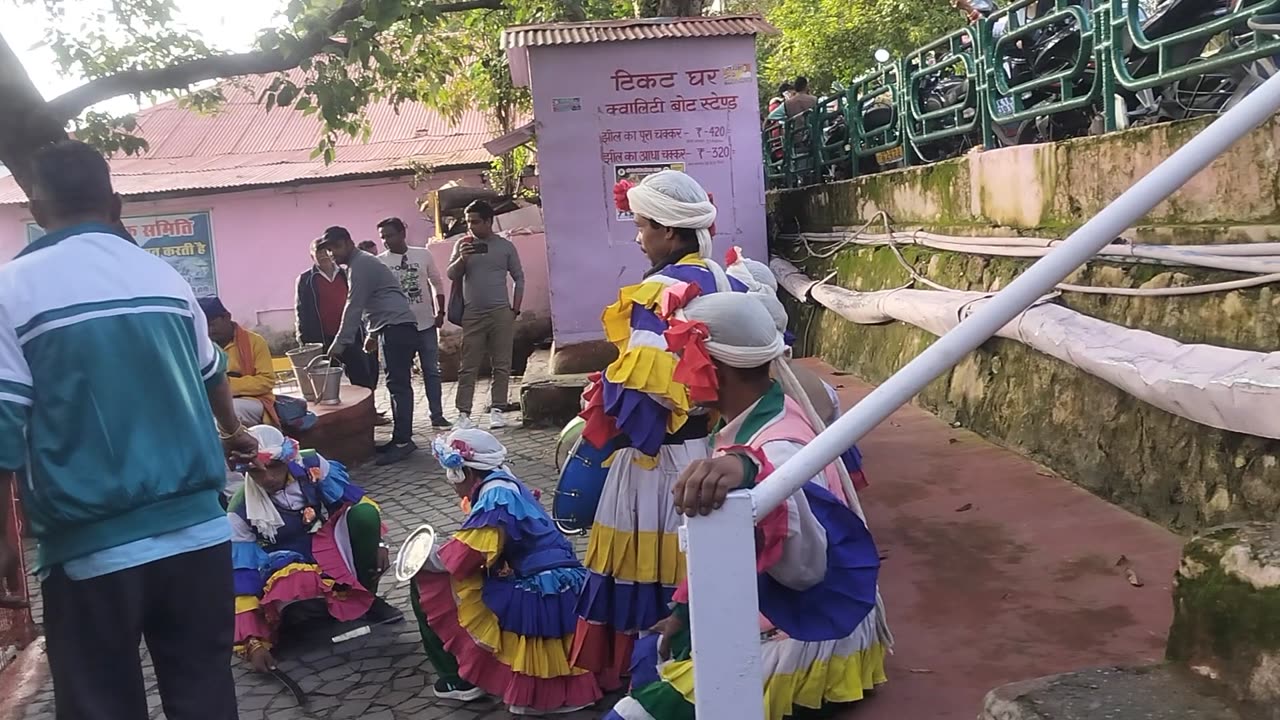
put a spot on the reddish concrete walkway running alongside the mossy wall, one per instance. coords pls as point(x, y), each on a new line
point(995, 571)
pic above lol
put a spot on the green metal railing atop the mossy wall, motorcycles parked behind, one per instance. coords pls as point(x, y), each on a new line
point(977, 85)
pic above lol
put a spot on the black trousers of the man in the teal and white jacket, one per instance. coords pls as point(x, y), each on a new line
point(185, 607)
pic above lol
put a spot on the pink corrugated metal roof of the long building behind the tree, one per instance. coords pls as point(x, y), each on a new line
point(243, 145)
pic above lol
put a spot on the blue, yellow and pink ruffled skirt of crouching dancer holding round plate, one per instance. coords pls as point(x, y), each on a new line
point(513, 636)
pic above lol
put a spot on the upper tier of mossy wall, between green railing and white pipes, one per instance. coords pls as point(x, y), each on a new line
point(1059, 186)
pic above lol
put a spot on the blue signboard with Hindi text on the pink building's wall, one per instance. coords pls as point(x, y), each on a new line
point(184, 240)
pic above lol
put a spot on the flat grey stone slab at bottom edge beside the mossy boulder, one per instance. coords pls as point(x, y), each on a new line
point(1158, 692)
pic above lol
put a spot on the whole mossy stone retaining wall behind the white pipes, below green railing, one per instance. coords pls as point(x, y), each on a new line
point(1173, 471)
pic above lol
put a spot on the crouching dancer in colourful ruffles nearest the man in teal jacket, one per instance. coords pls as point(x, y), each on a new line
point(301, 531)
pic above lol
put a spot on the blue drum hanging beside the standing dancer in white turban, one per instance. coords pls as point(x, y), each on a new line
point(583, 473)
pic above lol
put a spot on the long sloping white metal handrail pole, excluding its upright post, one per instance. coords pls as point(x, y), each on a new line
point(1004, 307)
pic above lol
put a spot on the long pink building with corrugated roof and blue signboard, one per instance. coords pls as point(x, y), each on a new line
point(234, 199)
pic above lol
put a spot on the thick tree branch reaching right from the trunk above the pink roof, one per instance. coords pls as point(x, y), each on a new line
point(260, 62)
